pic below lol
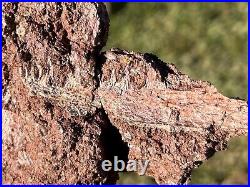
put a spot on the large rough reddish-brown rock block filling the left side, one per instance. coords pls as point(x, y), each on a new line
point(52, 130)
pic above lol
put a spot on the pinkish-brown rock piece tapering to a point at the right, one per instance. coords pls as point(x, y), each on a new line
point(166, 117)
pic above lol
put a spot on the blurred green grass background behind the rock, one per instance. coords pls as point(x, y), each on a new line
point(207, 41)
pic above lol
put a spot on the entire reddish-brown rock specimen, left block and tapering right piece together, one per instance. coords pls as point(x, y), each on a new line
point(67, 107)
